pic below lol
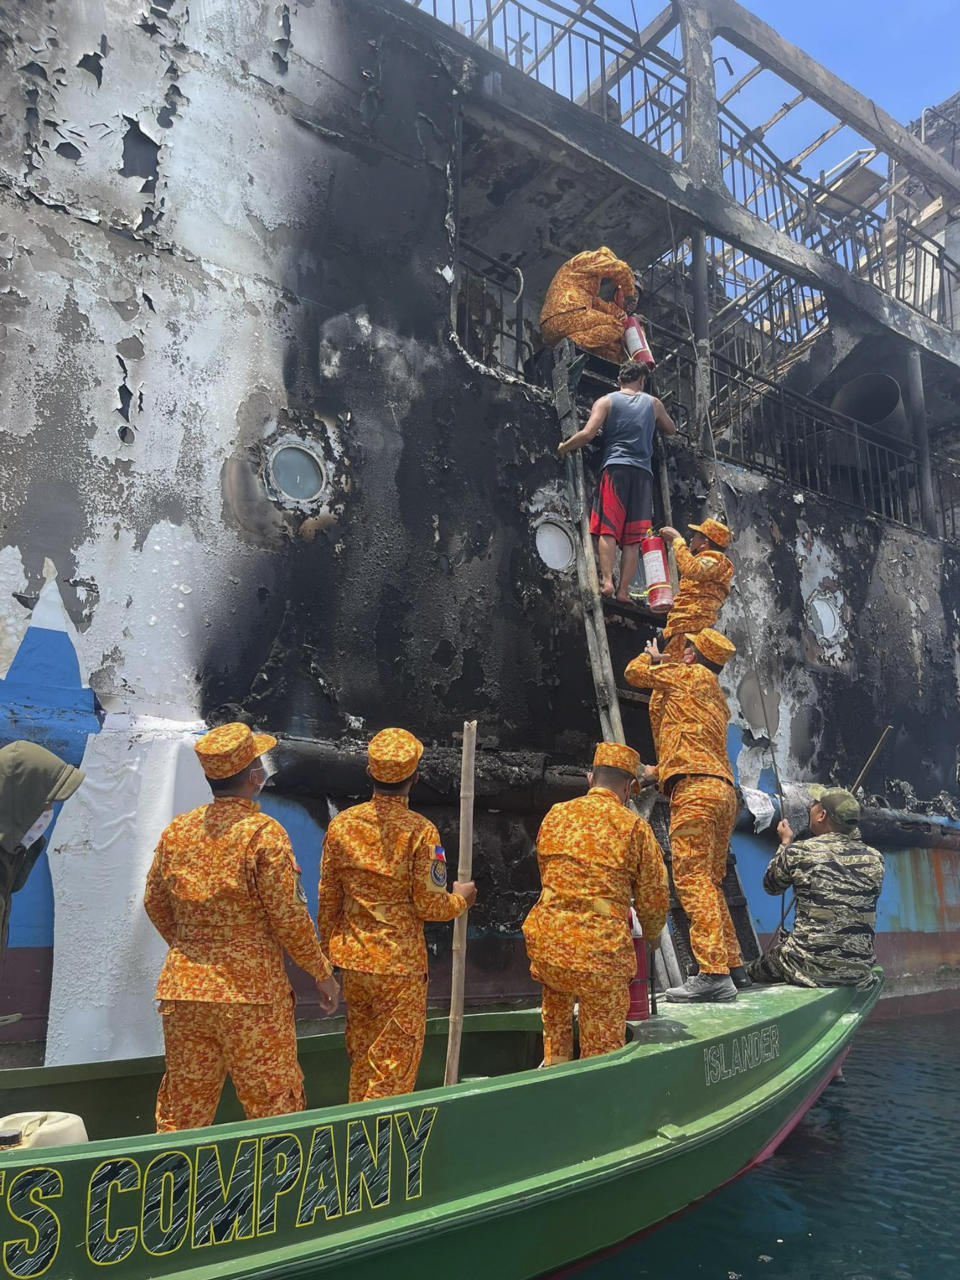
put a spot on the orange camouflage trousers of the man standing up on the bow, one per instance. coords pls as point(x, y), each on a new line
point(702, 816)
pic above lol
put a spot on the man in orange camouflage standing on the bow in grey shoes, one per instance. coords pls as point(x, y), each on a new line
point(694, 771)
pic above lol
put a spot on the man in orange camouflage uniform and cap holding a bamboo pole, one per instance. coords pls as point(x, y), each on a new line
point(383, 874)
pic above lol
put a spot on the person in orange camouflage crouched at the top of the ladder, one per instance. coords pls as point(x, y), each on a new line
point(574, 307)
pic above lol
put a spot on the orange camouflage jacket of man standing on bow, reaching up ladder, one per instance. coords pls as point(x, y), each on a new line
point(694, 717)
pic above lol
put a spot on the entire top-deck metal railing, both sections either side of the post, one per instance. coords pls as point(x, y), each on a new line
point(589, 58)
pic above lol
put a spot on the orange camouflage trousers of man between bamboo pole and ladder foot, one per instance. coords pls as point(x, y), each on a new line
point(604, 1012)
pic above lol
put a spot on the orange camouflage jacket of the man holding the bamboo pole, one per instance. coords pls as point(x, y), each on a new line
point(382, 876)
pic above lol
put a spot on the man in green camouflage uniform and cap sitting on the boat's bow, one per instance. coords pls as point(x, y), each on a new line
point(838, 881)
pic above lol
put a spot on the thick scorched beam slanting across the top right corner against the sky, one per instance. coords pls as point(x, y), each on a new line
point(761, 42)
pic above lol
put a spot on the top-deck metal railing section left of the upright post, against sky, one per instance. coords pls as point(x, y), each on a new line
point(582, 60)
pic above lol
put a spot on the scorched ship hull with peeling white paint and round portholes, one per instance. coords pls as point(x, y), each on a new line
point(269, 454)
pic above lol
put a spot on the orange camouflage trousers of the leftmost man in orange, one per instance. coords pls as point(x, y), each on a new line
point(207, 1040)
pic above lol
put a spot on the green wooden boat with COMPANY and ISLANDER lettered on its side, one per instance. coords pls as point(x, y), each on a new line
point(513, 1173)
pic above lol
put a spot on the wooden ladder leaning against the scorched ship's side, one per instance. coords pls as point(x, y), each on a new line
point(674, 959)
